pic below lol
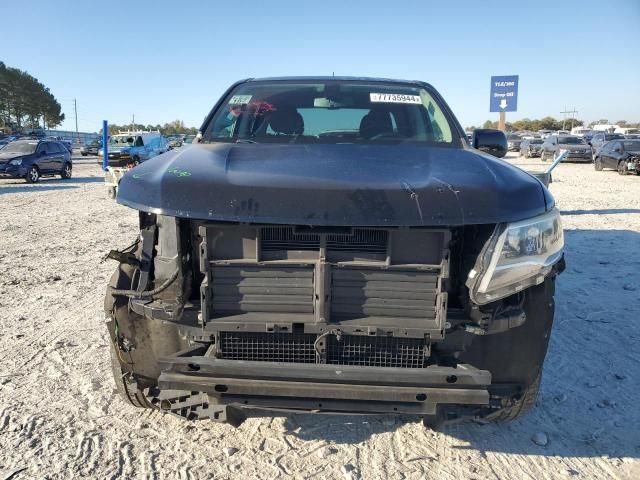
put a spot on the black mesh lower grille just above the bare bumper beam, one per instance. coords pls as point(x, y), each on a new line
point(365, 351)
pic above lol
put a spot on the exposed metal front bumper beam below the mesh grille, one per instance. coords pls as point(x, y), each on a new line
point(195, 385)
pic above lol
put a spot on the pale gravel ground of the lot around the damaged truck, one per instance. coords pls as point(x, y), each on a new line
point(59, 416)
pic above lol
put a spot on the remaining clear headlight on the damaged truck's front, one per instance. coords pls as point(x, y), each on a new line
point(518, 255)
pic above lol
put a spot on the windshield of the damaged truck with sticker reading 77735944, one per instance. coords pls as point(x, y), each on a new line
point(333, 112)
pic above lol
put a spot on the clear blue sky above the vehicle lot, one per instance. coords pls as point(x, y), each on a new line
point(166, 60)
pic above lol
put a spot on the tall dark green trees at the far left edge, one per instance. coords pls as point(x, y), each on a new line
point(25, 102)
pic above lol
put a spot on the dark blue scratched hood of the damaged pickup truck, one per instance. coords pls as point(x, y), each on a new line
point(360, 185)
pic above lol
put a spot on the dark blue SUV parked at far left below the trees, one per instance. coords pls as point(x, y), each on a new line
point(34, 159)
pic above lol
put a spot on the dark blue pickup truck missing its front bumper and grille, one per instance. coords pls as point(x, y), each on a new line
point(335, 245)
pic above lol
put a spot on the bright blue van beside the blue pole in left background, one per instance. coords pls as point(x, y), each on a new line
point(132, 148)
